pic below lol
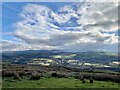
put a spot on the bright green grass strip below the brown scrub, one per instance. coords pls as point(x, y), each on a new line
point(56, 83)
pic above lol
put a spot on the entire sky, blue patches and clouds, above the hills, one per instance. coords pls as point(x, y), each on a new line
point(79, 26)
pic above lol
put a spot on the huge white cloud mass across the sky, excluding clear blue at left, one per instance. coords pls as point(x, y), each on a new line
point(81, 26)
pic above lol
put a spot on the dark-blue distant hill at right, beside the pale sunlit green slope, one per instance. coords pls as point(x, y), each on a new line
point(97, 57)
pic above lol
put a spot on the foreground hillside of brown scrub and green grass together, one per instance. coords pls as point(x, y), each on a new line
point(36, 76)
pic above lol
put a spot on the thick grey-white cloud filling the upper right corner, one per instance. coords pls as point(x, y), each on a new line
point(101, 15)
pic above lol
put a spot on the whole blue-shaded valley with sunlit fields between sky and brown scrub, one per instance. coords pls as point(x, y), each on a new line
point(82, 60)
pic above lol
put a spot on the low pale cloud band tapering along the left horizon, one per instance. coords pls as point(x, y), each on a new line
point(20, 46)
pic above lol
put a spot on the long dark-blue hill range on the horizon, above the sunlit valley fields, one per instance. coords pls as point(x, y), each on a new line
point(90, 56)
